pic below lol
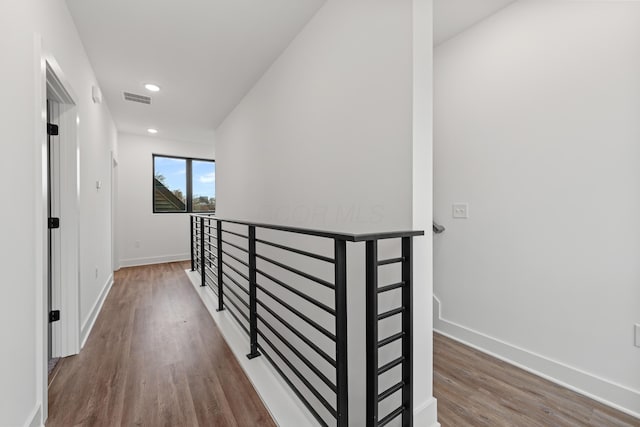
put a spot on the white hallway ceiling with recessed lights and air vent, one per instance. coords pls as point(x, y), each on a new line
point(205, 55)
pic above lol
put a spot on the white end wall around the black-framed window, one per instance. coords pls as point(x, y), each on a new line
point(162, 237)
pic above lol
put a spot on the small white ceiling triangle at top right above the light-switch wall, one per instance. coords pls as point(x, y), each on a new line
point(452, 17)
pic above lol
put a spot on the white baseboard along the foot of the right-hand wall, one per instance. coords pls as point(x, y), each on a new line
point(609, 393)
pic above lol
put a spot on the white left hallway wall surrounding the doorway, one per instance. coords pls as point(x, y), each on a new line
point(21, 370)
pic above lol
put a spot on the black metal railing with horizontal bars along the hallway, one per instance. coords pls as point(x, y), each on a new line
point(296, 316)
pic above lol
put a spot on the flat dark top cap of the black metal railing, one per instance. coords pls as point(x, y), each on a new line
point(348, 237)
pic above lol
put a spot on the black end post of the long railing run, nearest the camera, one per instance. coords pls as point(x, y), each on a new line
point(342, 378)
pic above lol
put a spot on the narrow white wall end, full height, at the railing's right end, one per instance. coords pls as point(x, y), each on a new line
point(425, 407)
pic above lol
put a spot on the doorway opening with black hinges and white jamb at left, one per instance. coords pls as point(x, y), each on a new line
point(61, 202)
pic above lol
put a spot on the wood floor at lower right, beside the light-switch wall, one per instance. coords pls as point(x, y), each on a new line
point(474, 389)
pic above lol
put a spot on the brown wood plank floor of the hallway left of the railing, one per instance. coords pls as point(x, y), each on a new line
point(156, 358)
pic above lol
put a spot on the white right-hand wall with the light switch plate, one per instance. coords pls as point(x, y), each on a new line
point(536, 126)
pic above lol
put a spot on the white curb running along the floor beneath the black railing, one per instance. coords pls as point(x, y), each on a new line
point(285, 408)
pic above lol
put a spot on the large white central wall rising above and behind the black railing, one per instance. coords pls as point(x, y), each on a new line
point(324, 140)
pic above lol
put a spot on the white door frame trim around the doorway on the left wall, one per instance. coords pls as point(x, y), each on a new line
point(50, 81)
